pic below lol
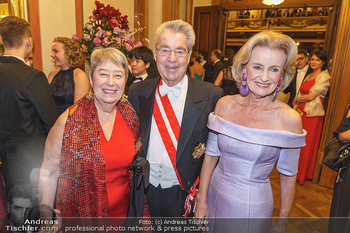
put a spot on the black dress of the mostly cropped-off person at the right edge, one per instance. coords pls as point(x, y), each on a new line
point(341, 195)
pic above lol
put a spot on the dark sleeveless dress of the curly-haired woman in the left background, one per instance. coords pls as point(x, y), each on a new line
point(62, 89)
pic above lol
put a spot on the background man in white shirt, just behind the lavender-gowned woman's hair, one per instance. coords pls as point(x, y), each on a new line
point(303, 70)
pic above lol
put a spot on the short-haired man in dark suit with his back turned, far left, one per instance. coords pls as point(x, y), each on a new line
point(27, 109)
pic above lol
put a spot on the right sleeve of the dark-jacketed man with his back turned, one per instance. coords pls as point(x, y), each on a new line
point(39, 95)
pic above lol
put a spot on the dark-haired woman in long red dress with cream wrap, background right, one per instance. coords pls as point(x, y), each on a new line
point(310, 100)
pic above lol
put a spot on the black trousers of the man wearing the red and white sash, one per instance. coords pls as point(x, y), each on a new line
point(167, 202)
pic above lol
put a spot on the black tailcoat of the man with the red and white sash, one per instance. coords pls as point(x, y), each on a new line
point(200, 101)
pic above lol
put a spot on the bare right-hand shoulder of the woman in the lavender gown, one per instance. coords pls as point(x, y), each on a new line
point(290, 119)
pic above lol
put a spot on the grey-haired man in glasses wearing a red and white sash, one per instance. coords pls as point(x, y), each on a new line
point(173, 111)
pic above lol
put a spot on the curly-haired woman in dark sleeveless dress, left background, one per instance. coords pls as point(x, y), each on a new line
point(69, 83)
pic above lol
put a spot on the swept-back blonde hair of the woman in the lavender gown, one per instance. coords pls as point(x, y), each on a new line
point(269, 39)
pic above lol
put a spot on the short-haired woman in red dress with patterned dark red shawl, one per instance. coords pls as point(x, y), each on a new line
point(90, 148)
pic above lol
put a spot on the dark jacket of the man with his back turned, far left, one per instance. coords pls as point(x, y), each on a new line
point(27, 113)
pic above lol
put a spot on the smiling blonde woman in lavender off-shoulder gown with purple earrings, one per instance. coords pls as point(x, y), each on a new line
point(249, 133)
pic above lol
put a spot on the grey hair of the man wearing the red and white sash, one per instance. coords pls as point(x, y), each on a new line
point(178, 26)
